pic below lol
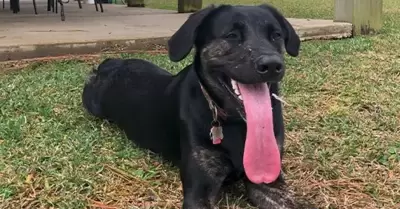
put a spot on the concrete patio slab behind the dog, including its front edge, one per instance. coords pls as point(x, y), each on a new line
point(25, 35)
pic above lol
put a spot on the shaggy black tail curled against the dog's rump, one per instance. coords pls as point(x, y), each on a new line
point(94, 87)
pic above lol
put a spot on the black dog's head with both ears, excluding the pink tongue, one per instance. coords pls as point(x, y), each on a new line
point(235, 45)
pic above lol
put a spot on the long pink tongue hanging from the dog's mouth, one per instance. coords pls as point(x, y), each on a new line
point(261, 160)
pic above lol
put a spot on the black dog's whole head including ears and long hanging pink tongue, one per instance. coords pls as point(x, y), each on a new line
point(239, 52)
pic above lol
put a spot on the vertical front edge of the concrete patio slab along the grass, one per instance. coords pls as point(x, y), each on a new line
point(335, 31)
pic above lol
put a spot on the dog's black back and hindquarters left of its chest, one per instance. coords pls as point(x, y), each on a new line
point(133, 94)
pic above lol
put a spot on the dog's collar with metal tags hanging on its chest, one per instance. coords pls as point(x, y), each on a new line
point(216, 133)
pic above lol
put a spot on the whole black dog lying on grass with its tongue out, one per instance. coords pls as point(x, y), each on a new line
point(215, 120)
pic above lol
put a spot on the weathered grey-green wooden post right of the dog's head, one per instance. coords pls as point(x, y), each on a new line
point(365, 15)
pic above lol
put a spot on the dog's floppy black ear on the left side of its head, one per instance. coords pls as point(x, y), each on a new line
point(180, 44)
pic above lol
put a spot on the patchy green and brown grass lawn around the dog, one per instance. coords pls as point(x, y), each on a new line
point(342, 122)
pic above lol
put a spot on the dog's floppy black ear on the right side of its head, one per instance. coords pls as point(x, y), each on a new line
point(292, 40)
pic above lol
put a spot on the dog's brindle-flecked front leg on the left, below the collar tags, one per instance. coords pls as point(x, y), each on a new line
point(202, 173)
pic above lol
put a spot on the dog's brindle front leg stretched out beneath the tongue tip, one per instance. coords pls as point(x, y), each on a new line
point(274, 196)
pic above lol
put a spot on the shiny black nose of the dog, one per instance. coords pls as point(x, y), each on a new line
point(269, 64)
